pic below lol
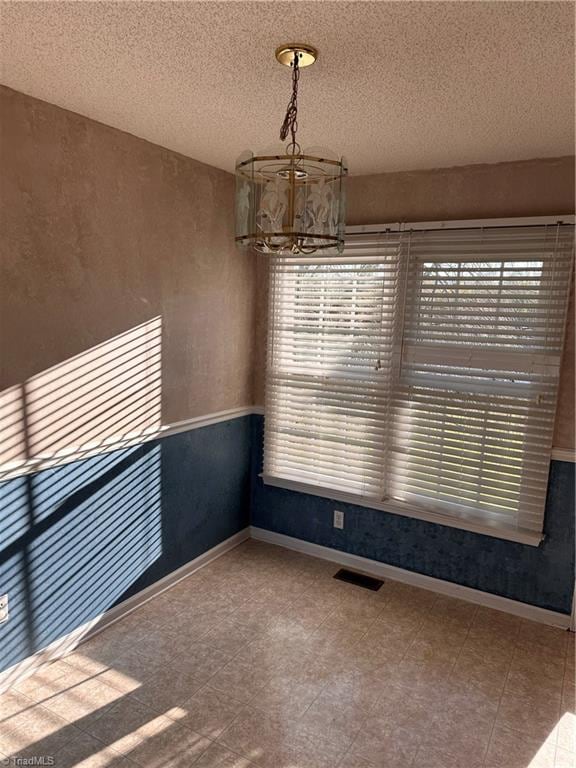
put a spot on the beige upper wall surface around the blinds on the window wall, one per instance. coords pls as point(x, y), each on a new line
point(528, 188)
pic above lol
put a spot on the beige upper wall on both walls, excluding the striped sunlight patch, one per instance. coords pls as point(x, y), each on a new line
point(101, 231)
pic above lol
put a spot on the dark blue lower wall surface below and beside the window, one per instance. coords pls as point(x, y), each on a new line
point(541, 576)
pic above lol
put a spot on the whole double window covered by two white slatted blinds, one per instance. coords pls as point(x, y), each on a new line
point(418, 372)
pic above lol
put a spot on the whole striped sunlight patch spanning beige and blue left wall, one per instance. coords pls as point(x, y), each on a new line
point(66, 553)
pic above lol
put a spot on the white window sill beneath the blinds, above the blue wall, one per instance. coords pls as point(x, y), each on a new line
point(531, 538)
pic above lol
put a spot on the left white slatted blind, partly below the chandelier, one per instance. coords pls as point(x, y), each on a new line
point(331, 350)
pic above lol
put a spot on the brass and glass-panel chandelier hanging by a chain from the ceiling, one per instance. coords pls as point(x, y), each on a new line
point(291, 201)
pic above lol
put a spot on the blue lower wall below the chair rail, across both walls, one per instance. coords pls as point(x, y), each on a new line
point(78, 539)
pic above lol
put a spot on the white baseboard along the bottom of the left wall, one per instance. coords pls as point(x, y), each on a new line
point(65, 645)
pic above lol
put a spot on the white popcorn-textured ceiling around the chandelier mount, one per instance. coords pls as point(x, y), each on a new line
point(398, 85)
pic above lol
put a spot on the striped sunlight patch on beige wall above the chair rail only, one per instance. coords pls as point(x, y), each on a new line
point(108, 393)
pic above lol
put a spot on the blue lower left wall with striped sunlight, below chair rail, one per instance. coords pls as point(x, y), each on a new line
point(80, 538)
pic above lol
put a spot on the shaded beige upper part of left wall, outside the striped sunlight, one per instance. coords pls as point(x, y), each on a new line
point(102, 231)
